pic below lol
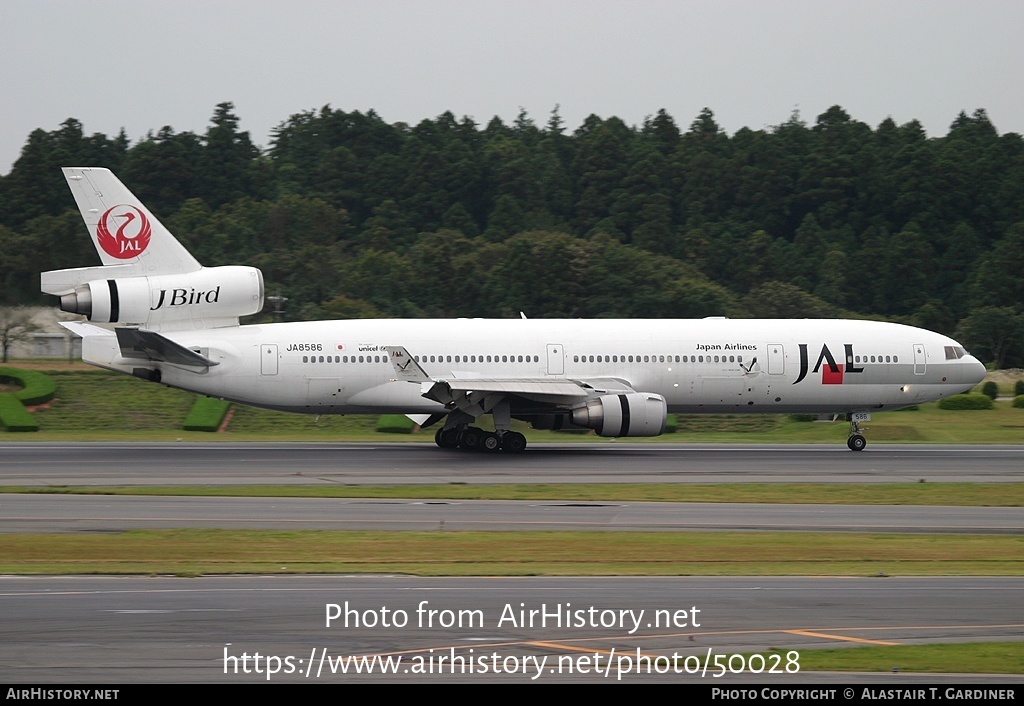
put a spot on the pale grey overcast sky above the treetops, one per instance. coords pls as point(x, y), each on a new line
point(142, 65)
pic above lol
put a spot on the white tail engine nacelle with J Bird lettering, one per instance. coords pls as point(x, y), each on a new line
point(217, 297)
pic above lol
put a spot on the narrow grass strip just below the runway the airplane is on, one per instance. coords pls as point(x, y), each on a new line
point(948, 494)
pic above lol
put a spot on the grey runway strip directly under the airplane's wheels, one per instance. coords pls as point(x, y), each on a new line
point(230, 464)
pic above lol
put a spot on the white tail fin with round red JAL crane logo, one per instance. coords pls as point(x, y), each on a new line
point(124, 231)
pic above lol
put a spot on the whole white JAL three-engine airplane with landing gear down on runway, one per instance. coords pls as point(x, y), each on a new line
point(156, 313)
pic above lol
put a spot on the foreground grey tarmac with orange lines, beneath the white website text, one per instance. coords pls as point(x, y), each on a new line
point(121, 631)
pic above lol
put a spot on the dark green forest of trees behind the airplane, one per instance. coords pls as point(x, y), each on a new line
point(350, 217)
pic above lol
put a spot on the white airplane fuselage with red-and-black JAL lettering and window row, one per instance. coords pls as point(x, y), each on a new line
point(700, 366)
